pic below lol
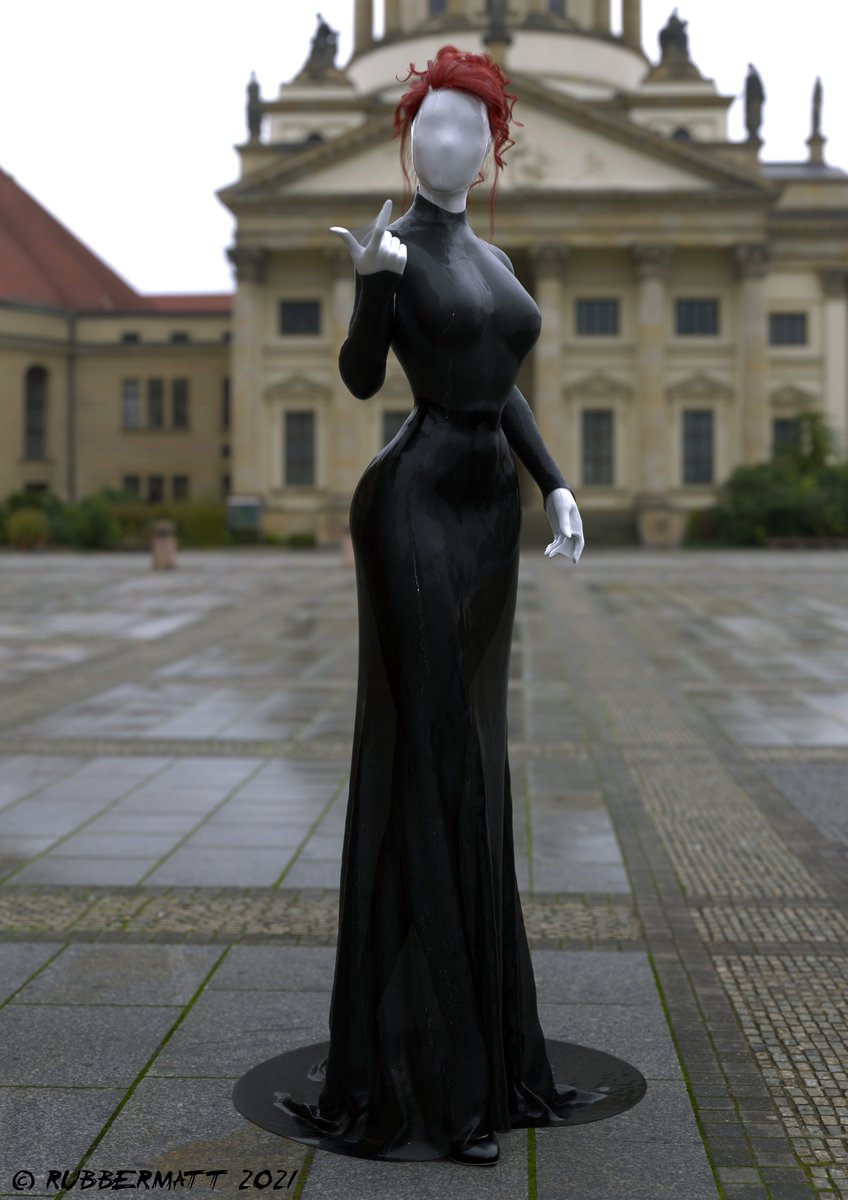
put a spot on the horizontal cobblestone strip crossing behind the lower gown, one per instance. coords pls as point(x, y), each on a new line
point(232, 915)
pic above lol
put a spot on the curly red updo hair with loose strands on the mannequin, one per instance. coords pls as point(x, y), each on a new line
point(474, 74)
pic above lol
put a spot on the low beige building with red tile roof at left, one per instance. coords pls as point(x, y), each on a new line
point(101, 387)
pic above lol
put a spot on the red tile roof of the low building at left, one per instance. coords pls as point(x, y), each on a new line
point(44, 263)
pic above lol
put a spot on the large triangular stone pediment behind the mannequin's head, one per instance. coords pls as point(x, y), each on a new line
point(563, 145)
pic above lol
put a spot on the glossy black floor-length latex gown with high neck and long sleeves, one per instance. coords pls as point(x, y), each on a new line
point(435, 1033)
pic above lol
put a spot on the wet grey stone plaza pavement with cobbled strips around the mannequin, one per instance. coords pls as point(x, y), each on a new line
point(173, 767)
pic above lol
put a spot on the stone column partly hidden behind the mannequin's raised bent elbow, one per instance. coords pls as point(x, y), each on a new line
point(347, 416)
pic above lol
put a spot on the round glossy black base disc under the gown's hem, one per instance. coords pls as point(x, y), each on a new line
point(299, 1073)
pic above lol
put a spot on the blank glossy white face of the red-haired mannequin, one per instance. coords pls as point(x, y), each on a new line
point(450, 137)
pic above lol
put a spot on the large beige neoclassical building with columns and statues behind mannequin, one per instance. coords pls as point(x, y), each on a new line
point(694, 297)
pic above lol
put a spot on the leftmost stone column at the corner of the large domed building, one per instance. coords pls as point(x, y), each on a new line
point(248, 437)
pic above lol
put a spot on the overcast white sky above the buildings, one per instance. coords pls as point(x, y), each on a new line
point(122, 118)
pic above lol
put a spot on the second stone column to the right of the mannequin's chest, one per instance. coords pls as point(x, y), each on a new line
point(654, 473)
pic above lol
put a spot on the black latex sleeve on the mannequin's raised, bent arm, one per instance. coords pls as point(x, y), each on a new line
point(363, 358)
